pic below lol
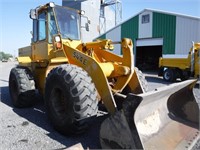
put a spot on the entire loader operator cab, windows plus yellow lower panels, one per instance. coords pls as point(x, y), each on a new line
point(52, 26)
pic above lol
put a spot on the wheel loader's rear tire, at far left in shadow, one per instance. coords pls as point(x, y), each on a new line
point(22, 87)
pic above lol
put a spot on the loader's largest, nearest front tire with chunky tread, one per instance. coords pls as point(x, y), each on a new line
point(70, 98)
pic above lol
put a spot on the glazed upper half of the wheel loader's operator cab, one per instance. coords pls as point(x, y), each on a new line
point(51, 19)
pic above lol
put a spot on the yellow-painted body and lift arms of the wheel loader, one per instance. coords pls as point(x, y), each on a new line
point(93, 57)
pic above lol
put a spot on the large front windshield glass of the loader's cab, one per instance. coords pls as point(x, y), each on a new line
point(68, 23)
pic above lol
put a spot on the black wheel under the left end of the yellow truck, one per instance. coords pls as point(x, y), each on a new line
point(169, 75)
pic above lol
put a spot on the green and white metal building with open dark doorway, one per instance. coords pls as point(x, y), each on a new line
point(155, 34)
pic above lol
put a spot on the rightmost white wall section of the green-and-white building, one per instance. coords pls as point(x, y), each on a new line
point(187, 30)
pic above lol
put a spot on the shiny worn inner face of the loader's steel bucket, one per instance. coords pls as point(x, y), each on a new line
point(169, 117)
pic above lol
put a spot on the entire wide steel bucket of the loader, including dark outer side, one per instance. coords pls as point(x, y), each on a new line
point(167, 118)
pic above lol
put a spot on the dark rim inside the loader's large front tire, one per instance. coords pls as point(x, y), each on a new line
point(58, 103)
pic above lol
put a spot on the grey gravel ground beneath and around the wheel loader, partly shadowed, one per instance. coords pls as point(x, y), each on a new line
point(29, 128)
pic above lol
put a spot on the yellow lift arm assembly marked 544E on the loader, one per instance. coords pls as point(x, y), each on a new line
point(119, 67)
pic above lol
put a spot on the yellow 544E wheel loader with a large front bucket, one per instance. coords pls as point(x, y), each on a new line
point(74, 77)
